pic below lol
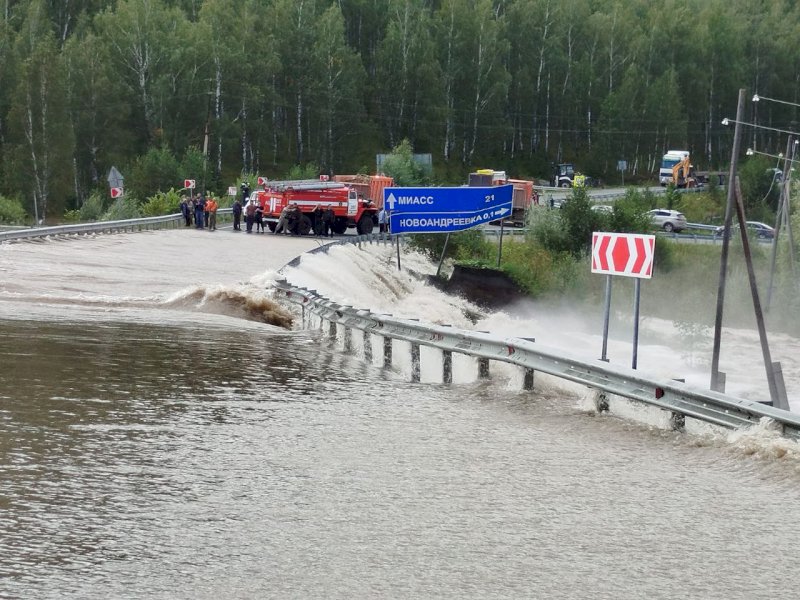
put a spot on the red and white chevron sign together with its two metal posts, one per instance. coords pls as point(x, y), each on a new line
point(630, 255)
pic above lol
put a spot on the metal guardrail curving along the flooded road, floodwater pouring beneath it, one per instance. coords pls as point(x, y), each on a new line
point(680, 399)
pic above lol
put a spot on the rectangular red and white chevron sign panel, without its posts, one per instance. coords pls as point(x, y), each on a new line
point(628, 254)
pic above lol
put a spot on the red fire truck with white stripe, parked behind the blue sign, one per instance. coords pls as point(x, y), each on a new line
point(349, 209)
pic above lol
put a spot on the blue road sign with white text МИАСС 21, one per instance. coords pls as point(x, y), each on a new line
point(439, 210)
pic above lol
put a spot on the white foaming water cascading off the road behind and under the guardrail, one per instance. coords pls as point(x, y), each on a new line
point(369, 279)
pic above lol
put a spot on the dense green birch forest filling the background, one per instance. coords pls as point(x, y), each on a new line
point(219, 89)
